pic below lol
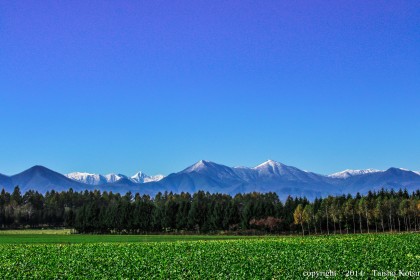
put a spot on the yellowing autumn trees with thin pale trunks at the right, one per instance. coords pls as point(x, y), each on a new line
point(383, 211)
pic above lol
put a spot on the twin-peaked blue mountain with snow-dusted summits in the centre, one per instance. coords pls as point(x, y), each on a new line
point(269, 176)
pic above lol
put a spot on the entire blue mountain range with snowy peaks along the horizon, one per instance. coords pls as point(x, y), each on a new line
point(270, 176)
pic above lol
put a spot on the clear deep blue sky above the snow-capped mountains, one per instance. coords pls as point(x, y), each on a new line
point(122, 86)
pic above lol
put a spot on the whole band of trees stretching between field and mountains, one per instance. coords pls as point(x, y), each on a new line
point(203, 212)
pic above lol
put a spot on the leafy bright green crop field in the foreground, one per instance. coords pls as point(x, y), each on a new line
point(357, 256)
